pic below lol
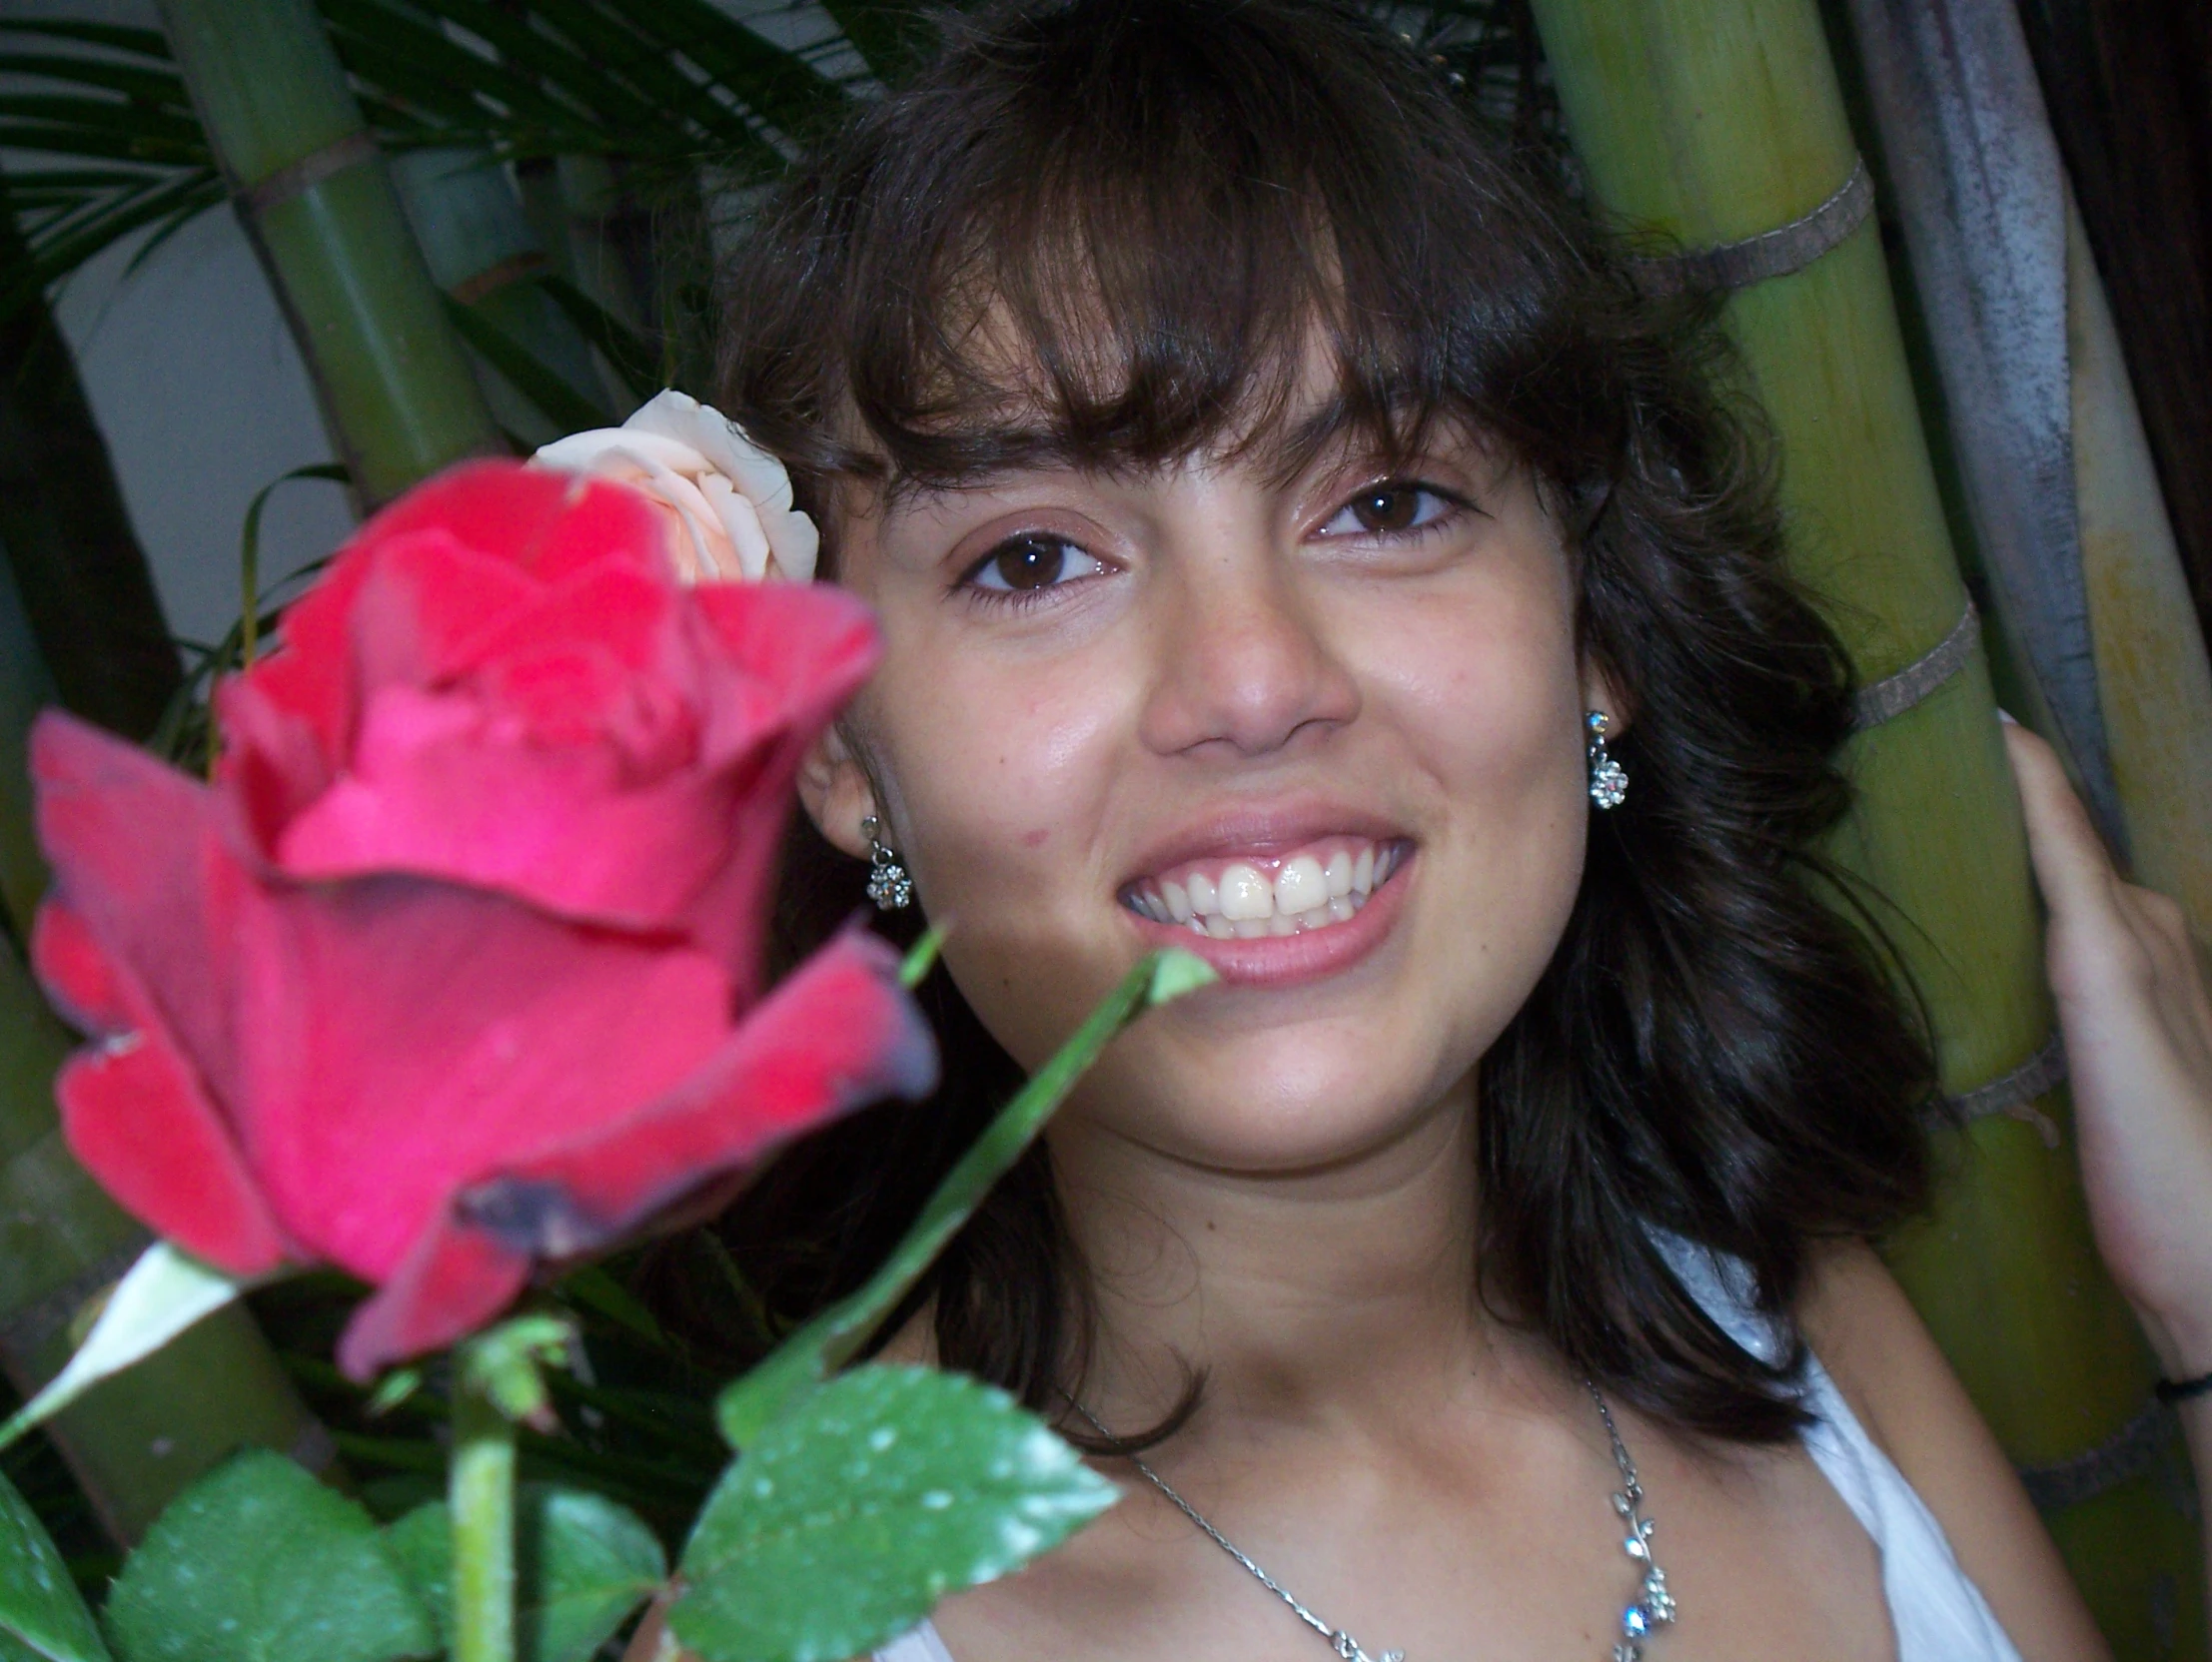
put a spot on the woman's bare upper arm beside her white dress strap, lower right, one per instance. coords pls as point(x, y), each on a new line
point(1892, 1376)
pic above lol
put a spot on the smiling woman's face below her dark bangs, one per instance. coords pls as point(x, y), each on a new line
point(1337, 722)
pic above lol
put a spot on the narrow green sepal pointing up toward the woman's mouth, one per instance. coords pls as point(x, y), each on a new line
point(837, 1336)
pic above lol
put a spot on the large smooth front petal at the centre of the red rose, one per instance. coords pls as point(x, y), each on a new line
point(404, 1038)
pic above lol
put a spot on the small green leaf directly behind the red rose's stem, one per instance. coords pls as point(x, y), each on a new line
point(583, 1564)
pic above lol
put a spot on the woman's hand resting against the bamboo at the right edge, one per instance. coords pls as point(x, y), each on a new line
point(2140, 1053)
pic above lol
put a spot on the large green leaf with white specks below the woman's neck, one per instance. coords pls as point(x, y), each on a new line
point(855, 1513)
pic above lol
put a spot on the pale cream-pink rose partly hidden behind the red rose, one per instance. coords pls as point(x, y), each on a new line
point(729, 501)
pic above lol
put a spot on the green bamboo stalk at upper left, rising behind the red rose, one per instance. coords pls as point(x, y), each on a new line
point(393, 379)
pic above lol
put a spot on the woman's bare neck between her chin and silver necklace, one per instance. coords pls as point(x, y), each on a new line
point(1293, 1292)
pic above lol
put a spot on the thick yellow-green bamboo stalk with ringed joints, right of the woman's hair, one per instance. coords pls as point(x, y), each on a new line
point(1718, 120)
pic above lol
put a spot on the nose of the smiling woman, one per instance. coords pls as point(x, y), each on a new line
point(1246, 662)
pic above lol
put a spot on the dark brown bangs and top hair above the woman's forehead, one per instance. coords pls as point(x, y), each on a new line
point(1182, 269)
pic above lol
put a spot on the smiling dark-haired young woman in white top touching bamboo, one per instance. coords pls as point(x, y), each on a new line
point(1269, 492)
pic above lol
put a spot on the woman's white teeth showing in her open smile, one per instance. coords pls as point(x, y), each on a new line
point(1302, 892)
